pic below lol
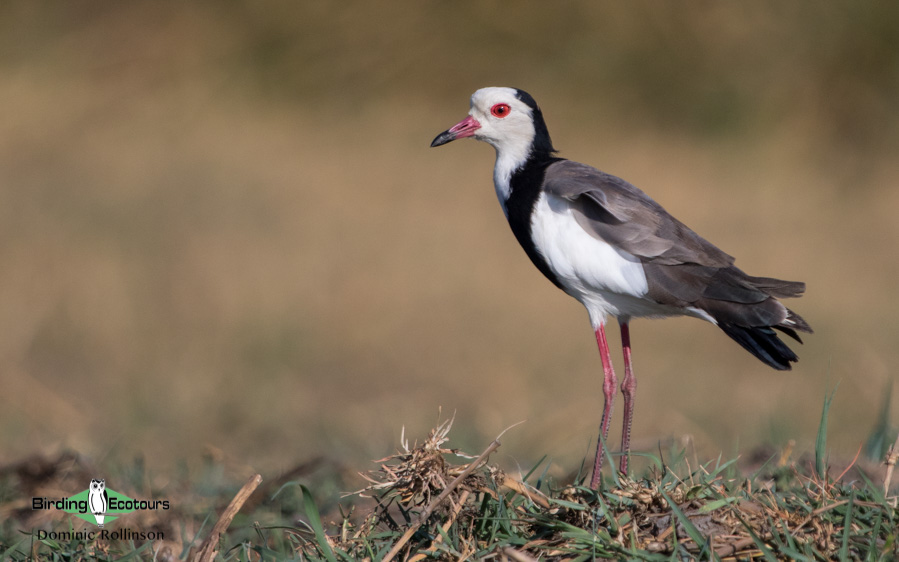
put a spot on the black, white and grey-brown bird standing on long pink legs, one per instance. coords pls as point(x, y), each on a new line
point(609, 245)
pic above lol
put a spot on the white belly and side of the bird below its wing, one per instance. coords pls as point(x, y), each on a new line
point(608, 281)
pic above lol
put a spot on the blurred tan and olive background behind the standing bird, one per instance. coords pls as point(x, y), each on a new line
point(222, 224)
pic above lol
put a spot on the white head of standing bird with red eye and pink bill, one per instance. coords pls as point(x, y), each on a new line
point(506, 118)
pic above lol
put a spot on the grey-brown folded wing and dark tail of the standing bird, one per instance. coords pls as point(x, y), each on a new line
point(682, 268)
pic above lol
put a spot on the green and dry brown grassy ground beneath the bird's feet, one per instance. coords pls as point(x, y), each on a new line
point(429, 501)
